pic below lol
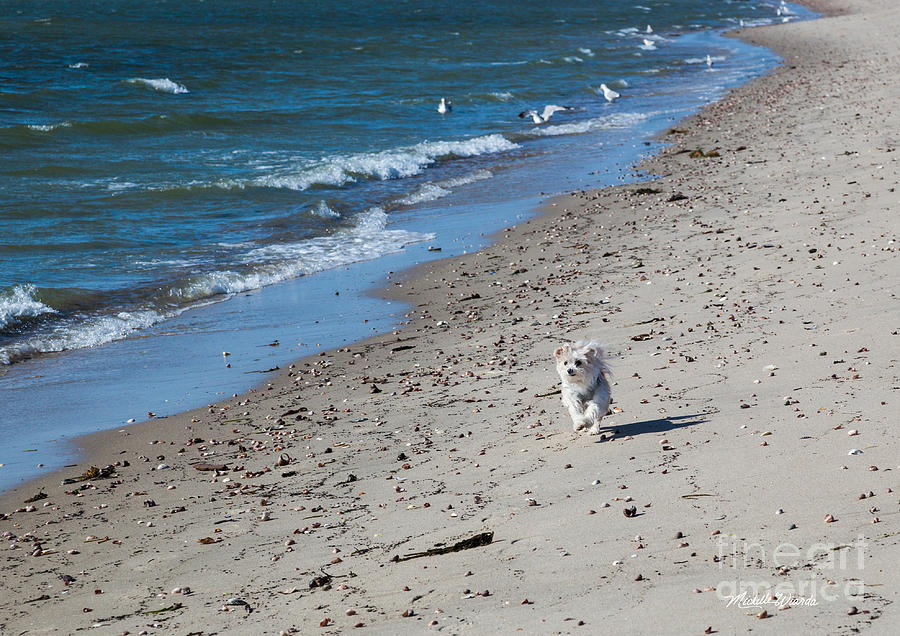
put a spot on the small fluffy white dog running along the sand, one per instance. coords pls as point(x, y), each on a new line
point(585, 378)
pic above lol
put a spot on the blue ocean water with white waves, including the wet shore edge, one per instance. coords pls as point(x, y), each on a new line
point(181, 178)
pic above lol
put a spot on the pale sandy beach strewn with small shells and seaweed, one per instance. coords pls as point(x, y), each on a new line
point(429, 479)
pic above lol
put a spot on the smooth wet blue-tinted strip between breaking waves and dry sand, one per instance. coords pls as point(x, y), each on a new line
point(132, 377)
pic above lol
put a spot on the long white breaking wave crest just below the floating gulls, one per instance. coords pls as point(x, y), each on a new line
point(396, 163)
